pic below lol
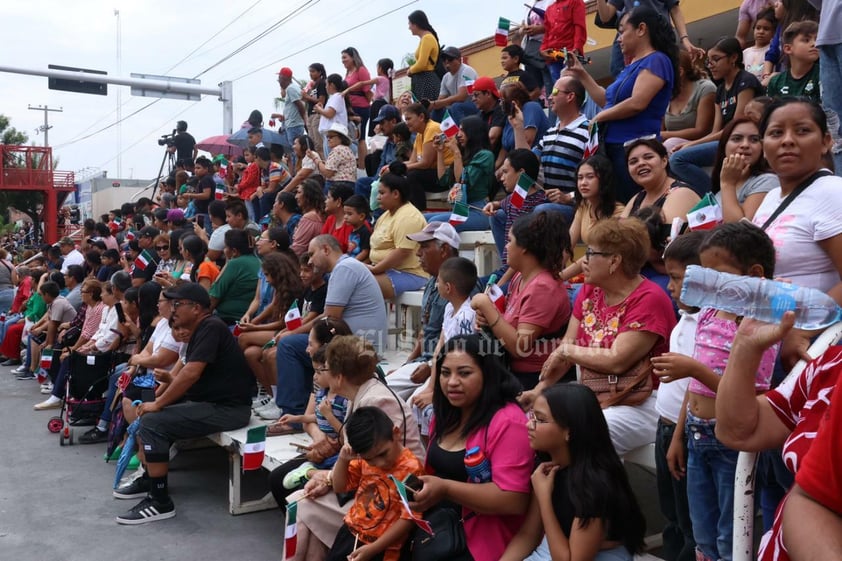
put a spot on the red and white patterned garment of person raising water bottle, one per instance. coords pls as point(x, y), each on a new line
point(800, 403)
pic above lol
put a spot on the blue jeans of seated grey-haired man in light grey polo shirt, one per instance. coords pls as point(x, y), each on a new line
point(295, 374)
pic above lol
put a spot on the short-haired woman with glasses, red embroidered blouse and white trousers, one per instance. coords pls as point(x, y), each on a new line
point(619, 321)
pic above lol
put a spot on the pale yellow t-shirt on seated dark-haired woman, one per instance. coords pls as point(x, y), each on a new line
point(390, 233)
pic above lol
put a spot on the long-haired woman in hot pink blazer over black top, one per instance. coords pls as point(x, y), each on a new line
point(476, 411)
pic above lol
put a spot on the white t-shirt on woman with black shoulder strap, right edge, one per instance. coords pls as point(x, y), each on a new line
point(814, 215)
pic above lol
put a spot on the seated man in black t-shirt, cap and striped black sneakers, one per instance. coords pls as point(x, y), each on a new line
point(210, 393)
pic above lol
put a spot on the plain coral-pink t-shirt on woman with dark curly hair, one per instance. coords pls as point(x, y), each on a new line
point(542, 302)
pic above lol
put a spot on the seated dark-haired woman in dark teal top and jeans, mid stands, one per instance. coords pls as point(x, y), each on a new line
point(472, 170)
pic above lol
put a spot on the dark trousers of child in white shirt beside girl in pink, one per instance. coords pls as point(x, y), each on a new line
point(679, 544)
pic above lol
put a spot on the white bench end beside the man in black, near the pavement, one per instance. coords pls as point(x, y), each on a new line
point(279, 450)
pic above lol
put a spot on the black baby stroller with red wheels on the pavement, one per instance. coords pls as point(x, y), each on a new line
point(83, 394)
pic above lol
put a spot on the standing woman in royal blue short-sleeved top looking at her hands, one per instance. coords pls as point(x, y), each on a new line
point(635, 103)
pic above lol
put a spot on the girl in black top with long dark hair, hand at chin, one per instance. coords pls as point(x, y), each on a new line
point(581, 497)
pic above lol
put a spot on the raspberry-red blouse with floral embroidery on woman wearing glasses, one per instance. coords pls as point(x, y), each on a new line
point(647, 308)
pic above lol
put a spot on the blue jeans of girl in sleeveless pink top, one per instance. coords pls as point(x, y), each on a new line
point(711, 467)
